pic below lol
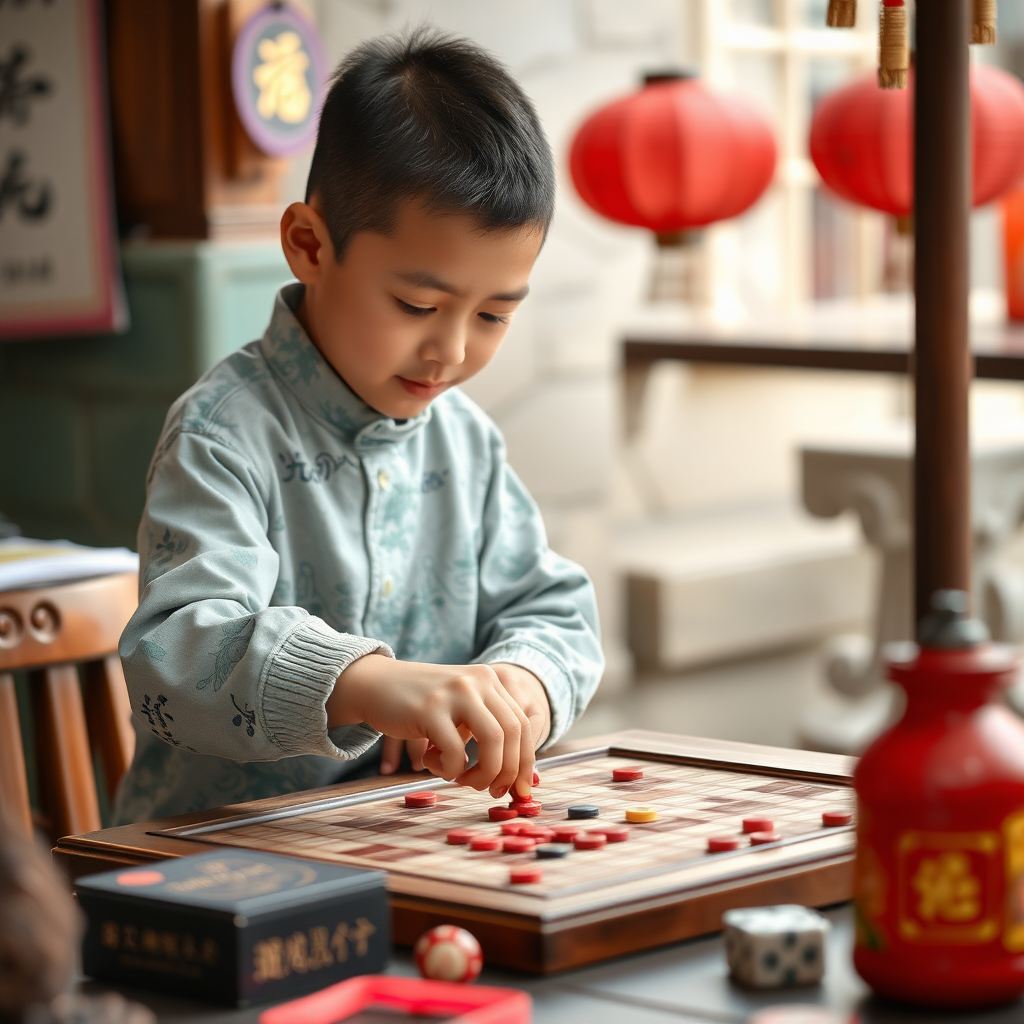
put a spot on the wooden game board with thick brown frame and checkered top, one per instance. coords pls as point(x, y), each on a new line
point(658, 887)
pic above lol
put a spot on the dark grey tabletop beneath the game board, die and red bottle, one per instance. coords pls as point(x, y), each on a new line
point(686, 984)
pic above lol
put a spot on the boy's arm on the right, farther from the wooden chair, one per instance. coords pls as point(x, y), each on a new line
point(537, 610)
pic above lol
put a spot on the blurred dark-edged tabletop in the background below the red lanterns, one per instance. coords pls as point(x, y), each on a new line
point(872, 337)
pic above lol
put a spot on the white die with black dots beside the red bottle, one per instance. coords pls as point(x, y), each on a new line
point(776, 947)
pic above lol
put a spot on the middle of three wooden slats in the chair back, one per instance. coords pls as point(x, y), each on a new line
point(63, 751)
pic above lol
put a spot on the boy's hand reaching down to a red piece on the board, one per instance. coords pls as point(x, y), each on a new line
point(445, 705)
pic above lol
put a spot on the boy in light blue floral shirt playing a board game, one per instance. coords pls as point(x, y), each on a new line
point(333, 545)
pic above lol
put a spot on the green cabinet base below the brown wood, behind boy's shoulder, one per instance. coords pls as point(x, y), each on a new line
point(80, 417)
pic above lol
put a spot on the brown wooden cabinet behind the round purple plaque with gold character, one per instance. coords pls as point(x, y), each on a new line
point(184, 166)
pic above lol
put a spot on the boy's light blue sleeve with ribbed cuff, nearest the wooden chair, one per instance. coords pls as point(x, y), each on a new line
point(210, 665)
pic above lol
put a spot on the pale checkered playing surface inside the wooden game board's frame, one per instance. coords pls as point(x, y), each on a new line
point(694, 803)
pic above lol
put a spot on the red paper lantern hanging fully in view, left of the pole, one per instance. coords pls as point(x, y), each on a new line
point(672, 157)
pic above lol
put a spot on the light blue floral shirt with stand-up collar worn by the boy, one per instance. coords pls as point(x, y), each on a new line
point(290, 530)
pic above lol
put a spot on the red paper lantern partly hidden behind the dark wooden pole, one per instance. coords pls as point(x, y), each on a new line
point(863, 141)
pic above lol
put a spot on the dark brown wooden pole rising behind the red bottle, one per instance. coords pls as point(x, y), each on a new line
point(943, 364)
